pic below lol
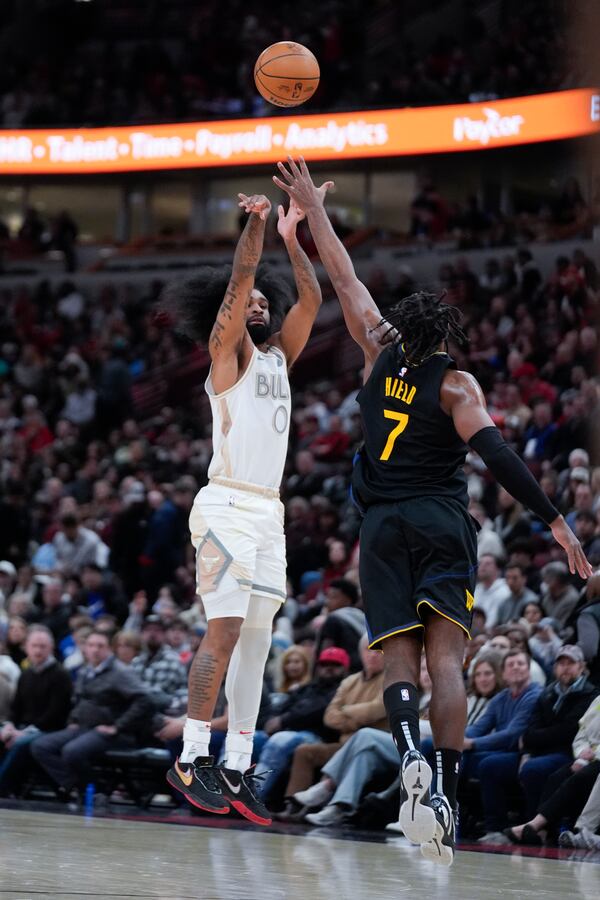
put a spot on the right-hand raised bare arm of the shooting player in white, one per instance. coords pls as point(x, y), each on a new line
point(298, 323)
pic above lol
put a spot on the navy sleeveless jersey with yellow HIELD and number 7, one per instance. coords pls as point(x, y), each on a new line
point(411, 448)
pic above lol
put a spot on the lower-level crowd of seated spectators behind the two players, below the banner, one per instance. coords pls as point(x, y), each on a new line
point(98, 609)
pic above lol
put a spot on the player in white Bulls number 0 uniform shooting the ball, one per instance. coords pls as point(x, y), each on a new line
point(236, 521)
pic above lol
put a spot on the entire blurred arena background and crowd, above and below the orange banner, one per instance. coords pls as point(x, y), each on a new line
point(105, 425)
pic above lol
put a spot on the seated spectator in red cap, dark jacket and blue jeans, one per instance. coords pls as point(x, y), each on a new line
point(301, 720)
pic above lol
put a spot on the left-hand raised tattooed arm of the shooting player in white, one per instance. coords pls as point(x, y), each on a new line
point(229, 344)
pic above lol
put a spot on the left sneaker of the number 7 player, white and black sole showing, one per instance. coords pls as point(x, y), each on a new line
point(417, 818)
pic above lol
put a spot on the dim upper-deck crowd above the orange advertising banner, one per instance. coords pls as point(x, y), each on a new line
point(117, 63)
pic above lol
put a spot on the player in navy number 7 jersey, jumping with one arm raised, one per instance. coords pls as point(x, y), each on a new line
point(418, 546)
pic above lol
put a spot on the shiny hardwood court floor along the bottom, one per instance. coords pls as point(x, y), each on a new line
point(46, 856)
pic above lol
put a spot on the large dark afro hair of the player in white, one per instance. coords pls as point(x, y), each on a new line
point(192, 304)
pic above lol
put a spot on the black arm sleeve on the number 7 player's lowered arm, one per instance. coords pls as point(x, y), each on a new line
point(512, 473)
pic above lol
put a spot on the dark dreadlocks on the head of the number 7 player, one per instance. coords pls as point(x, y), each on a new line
point(423, 322)
